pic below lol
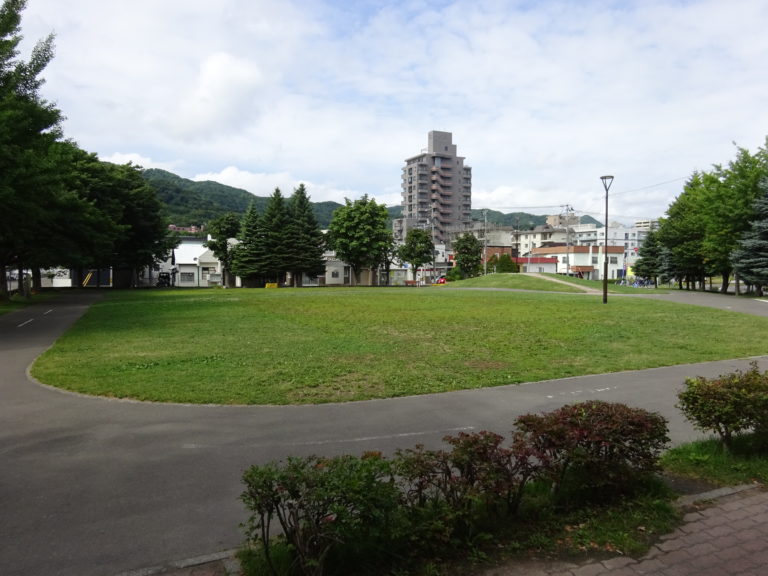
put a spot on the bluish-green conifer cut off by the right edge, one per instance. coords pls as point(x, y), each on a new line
point(750, 259)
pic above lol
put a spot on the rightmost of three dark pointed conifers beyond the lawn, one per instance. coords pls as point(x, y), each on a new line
point(307, 244)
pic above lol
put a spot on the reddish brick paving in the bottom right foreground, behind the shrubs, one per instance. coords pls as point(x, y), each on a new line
point(725, 533)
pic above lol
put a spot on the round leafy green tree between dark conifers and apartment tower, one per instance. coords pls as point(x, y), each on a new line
point(359, 234)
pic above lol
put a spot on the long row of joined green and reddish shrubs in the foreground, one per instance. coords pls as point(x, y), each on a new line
point(348, 515)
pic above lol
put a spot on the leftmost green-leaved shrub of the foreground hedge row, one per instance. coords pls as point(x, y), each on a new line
point(344, 507)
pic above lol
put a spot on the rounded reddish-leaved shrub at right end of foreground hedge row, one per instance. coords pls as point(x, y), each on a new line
point(594, 447)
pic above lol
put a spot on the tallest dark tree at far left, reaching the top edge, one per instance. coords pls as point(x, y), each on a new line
point(29, 126)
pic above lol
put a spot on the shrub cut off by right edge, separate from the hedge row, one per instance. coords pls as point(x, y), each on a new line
point(727, 405)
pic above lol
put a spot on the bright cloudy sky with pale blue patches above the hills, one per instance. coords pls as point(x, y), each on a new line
point(542, 97)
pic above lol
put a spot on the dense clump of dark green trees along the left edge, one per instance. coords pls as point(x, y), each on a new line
point(60, 205)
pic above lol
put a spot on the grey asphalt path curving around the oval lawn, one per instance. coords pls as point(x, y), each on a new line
point(93, 486)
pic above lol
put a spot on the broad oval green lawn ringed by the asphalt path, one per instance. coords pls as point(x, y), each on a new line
point(323, 345)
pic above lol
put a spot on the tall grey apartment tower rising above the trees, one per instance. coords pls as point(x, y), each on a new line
point(436, 190)
